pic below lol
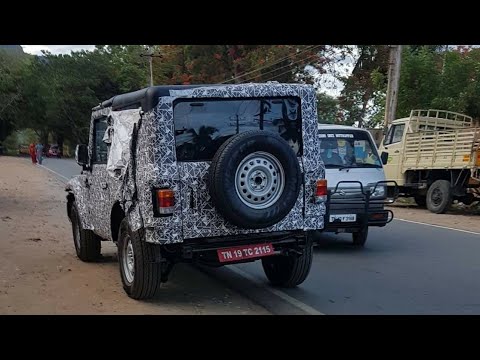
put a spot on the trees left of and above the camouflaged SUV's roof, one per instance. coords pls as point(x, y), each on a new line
point(54, 94)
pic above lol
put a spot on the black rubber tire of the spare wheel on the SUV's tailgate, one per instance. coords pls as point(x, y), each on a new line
point(222, 175)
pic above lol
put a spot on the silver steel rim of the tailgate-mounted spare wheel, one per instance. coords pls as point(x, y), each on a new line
point(259, 180)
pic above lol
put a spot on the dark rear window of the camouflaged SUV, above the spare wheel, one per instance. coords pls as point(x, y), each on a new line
point(203, 125)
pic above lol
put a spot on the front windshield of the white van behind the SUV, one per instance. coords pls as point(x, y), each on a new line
point(345, 148)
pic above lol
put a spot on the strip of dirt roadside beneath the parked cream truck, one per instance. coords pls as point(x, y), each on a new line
point(458, 216)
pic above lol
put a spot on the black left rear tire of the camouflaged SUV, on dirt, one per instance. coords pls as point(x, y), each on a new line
point(147, 273)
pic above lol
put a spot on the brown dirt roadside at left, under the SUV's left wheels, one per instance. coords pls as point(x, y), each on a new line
point(40, 273)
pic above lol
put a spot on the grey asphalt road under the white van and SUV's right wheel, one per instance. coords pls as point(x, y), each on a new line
point(405, 268)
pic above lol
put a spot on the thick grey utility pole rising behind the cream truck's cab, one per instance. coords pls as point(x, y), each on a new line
point(393, 81)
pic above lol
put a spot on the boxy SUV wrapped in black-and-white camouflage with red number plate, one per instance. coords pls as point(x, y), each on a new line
point(212, 174)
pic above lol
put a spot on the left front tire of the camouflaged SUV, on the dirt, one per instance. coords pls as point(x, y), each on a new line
point(87, 245)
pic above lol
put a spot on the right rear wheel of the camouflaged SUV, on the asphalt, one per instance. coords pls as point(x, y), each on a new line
point(289, 271)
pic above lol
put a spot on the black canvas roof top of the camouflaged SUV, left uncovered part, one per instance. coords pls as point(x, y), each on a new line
point(146, 98)
